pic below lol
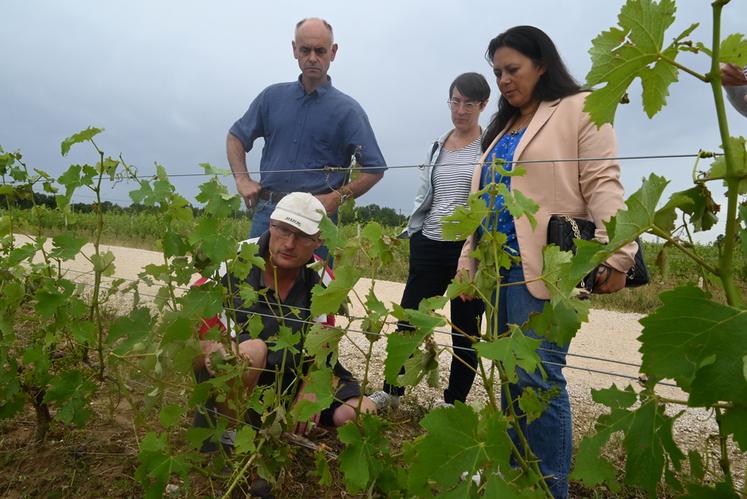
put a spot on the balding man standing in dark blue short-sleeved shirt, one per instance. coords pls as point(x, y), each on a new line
point(307, 125)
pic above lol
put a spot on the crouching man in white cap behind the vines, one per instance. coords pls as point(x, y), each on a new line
point(283, 301)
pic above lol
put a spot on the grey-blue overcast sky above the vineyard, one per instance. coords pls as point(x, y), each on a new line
point(166, 79)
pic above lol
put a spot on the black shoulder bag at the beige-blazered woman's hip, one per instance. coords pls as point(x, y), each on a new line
point(562, 230)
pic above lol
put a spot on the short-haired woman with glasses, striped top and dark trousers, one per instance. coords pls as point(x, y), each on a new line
point(445, 185)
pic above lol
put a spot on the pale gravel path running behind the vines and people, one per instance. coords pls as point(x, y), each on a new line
point(605, 351)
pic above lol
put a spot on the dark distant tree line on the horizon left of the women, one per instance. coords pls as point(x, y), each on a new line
point(348, 213)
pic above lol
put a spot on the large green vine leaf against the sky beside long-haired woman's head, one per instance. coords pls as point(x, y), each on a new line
point(633, 49)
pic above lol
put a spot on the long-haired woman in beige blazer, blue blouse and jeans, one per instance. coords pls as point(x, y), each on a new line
point(540, 118)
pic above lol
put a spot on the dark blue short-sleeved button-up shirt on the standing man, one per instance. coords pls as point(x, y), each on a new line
point(306, 132)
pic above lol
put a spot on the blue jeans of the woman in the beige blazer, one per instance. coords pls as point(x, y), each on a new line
point(550, 436)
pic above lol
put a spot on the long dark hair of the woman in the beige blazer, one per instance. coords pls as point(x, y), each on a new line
point(556, 82)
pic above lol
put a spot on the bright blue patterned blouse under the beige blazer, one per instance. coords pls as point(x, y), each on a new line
point(500, 218)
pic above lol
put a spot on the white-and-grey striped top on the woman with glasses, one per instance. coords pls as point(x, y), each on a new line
point(452, 178)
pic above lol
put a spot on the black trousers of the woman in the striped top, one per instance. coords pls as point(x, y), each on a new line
point(432, 267)
